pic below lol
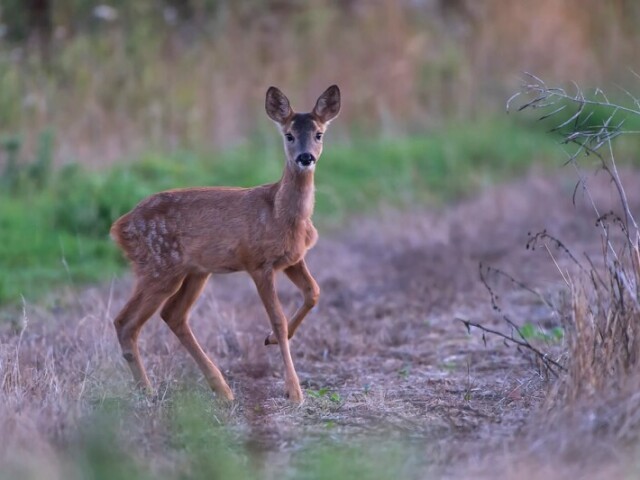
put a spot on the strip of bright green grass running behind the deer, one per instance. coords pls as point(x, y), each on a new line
point(56, 234)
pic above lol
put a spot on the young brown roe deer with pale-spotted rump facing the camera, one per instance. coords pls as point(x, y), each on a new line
point(176, 239)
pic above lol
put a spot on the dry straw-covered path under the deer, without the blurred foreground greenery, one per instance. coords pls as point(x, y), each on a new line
point(382, 356)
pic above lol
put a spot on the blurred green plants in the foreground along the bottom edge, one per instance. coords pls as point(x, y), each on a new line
point(204, 448)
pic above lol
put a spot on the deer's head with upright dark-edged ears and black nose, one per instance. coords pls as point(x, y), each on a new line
point(303, 132)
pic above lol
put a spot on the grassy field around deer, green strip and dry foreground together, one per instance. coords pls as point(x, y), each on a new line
point(394, 385)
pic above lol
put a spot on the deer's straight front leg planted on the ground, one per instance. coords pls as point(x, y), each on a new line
point(265, 283)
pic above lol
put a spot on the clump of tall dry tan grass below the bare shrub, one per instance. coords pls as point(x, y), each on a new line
point(598, 398)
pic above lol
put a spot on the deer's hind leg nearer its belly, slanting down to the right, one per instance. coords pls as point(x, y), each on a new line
point(176, 315)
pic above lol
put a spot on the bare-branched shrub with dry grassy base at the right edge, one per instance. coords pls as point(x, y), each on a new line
point(603, 334)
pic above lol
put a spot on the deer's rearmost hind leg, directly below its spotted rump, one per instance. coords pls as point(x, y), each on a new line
point(145, 300)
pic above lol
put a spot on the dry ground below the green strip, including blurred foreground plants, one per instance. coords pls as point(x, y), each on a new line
point(394, 385)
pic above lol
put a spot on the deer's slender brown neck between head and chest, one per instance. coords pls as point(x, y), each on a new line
point(295, 196)
